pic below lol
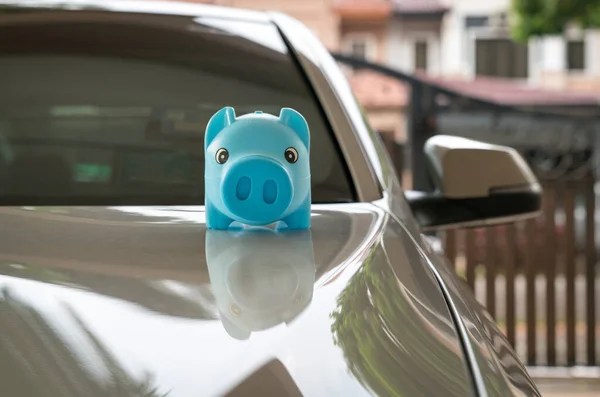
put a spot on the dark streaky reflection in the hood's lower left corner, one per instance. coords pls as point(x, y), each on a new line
point(67, 357)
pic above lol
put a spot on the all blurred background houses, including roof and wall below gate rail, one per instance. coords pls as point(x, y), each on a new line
point(463, 44)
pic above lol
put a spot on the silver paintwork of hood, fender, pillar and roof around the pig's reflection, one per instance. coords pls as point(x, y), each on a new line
point(117, 301)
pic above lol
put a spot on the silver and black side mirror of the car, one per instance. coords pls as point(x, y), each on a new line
point(477, 184)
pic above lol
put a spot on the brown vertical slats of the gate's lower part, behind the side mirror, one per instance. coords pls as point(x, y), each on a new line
point(537, 278)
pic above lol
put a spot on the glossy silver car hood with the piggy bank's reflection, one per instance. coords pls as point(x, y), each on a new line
point(145, 301)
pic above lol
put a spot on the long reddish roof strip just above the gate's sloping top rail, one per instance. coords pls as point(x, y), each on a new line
point(513, 93)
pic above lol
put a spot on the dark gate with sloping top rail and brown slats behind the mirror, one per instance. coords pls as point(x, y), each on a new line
point(537, 278)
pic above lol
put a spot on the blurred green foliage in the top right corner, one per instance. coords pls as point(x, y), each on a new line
point(547, 17)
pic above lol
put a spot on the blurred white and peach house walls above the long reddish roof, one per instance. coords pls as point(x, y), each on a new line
point(466, 38)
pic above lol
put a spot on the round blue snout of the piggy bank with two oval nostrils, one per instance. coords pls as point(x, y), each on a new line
point(257, 189)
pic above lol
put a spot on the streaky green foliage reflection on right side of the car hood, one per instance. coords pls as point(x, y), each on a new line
point(376, 313)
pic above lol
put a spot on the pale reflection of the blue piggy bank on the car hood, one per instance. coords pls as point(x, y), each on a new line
point(260, 278)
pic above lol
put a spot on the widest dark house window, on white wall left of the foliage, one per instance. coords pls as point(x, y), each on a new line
point(501, 58)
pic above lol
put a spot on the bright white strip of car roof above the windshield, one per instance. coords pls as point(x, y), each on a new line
point(141, 6)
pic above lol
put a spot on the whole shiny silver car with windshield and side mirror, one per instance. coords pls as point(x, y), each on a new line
point(110, 283)
